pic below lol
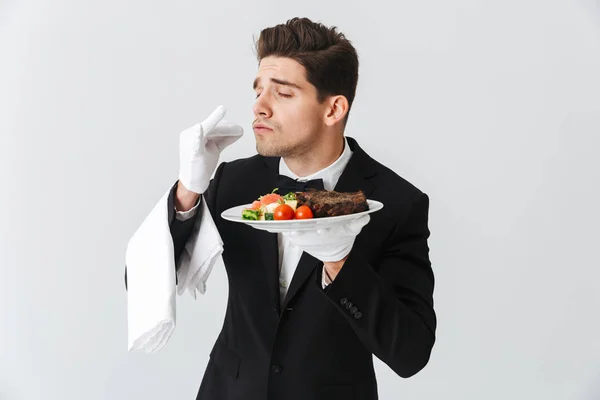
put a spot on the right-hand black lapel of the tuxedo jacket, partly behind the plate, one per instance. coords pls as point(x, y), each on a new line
point(354, 178)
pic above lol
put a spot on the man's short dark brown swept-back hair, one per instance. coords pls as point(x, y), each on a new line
point(330, 60)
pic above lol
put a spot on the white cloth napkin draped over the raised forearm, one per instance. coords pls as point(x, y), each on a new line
point(150, 261)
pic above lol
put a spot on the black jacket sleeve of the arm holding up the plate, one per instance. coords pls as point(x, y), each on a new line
point(390, 305)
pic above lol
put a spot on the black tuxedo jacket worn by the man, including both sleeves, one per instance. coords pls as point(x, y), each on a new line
point(320, 343)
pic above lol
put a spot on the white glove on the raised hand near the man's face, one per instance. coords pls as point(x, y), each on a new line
point(200, 147)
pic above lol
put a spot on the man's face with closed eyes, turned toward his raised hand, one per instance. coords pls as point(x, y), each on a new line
point(288, 118)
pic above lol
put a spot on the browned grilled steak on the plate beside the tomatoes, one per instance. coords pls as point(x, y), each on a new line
point(329, 203)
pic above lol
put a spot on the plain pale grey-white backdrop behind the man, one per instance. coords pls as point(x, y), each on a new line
point(492, 108)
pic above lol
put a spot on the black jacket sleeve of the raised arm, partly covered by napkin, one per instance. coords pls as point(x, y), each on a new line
point(182, 230)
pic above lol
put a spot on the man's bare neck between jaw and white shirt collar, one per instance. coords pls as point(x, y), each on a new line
point(318, 158)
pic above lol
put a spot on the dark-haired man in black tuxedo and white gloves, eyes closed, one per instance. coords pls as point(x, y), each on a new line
point(303, 320)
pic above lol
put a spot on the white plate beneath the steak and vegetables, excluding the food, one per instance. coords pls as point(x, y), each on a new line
point(234, 214)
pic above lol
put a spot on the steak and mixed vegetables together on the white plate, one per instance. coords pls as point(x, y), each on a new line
point(305, 205)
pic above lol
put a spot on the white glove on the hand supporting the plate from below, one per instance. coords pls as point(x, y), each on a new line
point(331, 243)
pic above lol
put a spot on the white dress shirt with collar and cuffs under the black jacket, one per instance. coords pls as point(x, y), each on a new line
point(289, 255)
